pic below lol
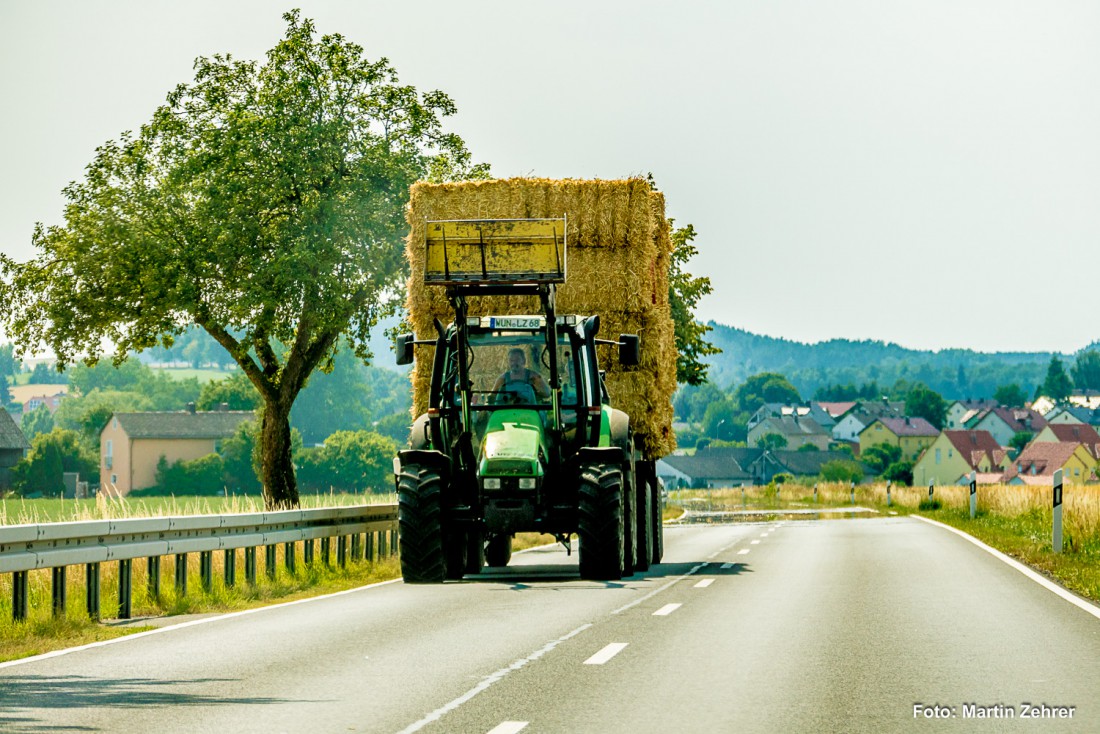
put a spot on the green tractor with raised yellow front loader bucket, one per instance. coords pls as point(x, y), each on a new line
point(520, 434)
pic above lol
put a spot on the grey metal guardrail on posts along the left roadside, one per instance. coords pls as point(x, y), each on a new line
point(58, 546)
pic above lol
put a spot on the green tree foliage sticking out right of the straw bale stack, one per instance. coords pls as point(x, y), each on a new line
point(685, 293)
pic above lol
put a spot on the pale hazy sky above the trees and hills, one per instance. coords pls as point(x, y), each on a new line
point(919, 172)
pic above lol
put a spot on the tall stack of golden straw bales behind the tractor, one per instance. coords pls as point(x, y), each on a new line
point(619, 253)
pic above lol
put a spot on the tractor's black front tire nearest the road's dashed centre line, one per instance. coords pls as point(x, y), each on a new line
point(600, 522)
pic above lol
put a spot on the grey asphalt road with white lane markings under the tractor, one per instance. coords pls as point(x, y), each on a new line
point(796, 627)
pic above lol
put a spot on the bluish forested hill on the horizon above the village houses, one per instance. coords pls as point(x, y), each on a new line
point(954, 374)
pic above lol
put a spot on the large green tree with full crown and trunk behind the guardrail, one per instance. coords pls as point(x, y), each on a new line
point(265, 203)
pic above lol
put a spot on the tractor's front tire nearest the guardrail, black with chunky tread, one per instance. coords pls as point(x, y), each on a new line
point(420, 520)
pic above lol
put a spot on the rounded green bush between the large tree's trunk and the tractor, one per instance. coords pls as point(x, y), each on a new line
point(351, 462)
